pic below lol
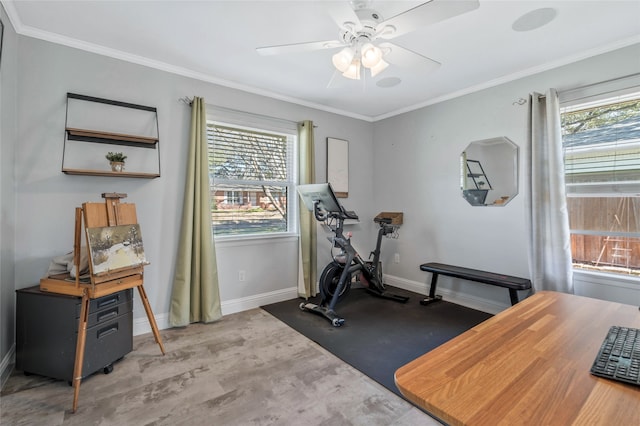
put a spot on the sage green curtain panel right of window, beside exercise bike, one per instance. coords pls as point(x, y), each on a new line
point(307, 256)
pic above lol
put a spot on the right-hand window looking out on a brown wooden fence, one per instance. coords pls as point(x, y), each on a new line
point(601, 143)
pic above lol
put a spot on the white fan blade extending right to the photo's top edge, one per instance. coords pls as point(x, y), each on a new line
point(425, 14)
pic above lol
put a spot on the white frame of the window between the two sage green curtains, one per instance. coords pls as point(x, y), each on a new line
point(259, 123)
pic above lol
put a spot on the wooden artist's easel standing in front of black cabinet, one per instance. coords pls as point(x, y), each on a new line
point(94, 215)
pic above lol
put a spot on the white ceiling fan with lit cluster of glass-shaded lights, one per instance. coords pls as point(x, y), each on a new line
point(363, 34)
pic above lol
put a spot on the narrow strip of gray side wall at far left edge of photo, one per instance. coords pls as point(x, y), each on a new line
point(8, 142)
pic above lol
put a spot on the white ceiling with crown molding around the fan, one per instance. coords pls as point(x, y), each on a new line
point(216, 41)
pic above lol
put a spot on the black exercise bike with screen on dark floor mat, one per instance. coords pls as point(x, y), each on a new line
point(336, 278)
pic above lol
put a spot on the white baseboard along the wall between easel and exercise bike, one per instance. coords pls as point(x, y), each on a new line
point(141, 325)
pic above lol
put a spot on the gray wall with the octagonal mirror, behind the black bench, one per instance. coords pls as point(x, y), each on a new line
point(418, 153)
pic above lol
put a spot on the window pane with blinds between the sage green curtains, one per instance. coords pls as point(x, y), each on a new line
point(253, 180)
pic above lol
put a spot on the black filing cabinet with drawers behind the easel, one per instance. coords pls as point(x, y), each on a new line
point(47, 331)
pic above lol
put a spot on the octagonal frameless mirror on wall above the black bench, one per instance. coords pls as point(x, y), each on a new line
point(489, 172)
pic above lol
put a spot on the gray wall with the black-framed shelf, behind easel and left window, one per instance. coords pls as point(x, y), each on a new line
point(46, 198)
